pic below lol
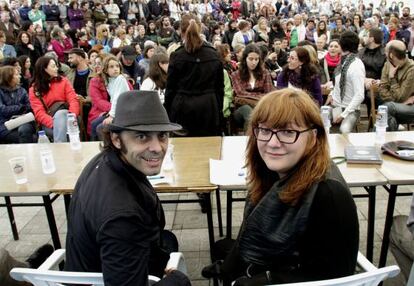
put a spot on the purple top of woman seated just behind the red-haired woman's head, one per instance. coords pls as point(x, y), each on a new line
point(294, 79)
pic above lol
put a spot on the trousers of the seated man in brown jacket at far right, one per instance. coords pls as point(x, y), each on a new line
point(399, 113)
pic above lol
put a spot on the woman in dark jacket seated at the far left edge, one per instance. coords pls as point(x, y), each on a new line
point(14, 103)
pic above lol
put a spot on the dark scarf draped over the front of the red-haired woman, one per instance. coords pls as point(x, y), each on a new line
point(272, 228)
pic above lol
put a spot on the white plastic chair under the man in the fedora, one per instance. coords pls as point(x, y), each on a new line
point(46, 276)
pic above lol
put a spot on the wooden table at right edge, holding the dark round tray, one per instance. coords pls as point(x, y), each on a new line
point(397, 172)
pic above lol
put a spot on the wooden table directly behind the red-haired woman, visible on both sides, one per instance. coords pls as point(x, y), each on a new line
point(356, 176)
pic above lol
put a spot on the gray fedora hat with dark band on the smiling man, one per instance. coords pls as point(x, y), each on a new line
point(140, 110)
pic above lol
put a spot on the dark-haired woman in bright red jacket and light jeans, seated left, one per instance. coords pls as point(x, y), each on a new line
point(52, 97)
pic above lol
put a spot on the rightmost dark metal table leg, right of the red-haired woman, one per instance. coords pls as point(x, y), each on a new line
point(392, 193)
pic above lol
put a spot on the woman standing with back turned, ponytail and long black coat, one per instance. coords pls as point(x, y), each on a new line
point(195, 84)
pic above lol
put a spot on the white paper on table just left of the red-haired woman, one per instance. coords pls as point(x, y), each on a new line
point(227, 173)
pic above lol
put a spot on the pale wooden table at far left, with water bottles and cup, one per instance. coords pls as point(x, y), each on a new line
point(68, 165)
